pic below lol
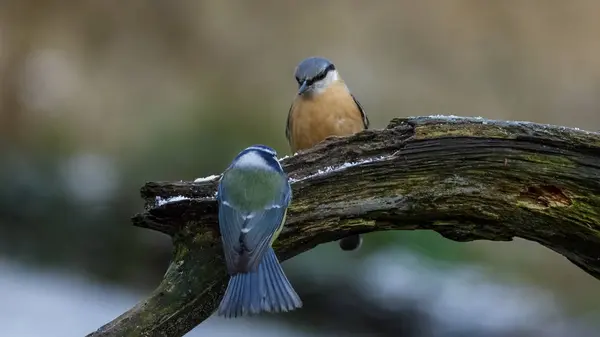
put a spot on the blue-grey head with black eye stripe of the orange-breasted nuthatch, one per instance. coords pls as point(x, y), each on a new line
point(315, 74)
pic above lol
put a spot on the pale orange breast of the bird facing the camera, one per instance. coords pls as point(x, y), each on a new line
point(332, 113)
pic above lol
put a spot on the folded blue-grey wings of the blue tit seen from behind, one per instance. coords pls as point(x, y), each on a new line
point(247, 236)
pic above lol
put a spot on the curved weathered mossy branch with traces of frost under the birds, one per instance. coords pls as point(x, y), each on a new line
point(465, 178)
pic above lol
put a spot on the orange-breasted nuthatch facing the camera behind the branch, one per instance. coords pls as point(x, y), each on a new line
point(323, 107)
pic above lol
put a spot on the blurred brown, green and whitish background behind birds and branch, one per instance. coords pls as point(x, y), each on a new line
point(98, 97)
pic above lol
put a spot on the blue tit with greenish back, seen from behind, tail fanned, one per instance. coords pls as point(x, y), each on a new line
point(253, 197)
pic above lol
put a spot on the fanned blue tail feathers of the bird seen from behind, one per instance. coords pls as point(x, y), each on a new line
point(267, 289)
